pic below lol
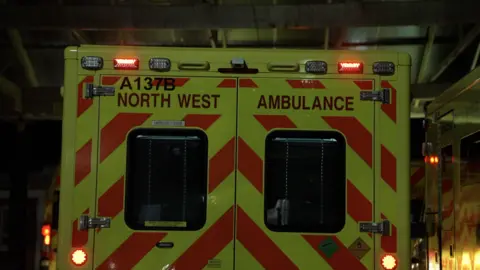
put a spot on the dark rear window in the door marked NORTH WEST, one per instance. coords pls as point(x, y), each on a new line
point(166, 182)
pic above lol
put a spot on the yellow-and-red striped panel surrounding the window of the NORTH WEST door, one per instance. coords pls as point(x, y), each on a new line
point(212, 109)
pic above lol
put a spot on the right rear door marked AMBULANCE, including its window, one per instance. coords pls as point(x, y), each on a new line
point(305, 173)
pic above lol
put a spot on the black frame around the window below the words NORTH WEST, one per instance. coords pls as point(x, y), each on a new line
point(128, 173)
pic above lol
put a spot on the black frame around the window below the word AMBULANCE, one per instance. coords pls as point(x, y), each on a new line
point(321, 134)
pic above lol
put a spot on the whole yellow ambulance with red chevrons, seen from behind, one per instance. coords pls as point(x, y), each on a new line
point(190, 158)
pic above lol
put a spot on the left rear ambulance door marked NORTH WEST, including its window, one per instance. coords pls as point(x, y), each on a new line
point(165, 172)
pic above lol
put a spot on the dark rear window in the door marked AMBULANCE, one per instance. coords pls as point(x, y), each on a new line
point(305, 181)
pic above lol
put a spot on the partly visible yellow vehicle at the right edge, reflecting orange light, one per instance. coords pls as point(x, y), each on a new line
point(454, 135)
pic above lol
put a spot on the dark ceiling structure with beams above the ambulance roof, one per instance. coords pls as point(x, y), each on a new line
point(440, 35)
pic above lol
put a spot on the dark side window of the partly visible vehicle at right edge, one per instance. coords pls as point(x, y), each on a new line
point(470, 159)
